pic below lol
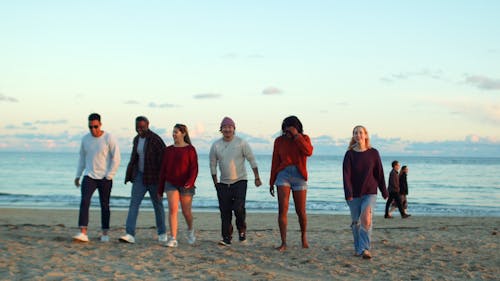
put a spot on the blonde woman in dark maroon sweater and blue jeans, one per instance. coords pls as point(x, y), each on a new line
point(363, 174)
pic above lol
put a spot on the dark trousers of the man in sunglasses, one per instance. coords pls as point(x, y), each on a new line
point(89, 185)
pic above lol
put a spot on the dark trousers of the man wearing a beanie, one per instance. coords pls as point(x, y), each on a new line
point(232, 198)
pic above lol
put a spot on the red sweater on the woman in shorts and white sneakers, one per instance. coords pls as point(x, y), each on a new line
point(179, 167)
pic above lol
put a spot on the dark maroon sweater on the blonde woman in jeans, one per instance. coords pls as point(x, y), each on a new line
point(363, 173)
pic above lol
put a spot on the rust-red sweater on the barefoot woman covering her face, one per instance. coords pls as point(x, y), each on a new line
point(288, 152)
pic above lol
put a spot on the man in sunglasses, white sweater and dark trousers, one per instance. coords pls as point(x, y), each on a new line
point(99, 161)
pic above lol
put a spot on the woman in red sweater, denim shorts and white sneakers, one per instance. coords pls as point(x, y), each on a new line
point(178, 173)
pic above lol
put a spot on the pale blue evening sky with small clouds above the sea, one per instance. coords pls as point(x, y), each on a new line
point(422, 76)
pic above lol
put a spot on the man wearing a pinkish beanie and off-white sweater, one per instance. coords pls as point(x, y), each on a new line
point(230, 153)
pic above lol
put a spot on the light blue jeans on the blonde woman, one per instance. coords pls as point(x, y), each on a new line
point(362, 221)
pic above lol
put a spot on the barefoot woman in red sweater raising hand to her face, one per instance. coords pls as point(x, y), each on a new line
point(289, 172)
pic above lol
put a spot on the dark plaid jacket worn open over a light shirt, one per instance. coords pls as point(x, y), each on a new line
point(153, 155)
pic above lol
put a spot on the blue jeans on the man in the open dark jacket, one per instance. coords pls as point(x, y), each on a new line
point(138, 192)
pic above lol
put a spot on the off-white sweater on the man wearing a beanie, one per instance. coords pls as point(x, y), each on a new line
point(230, 156)
